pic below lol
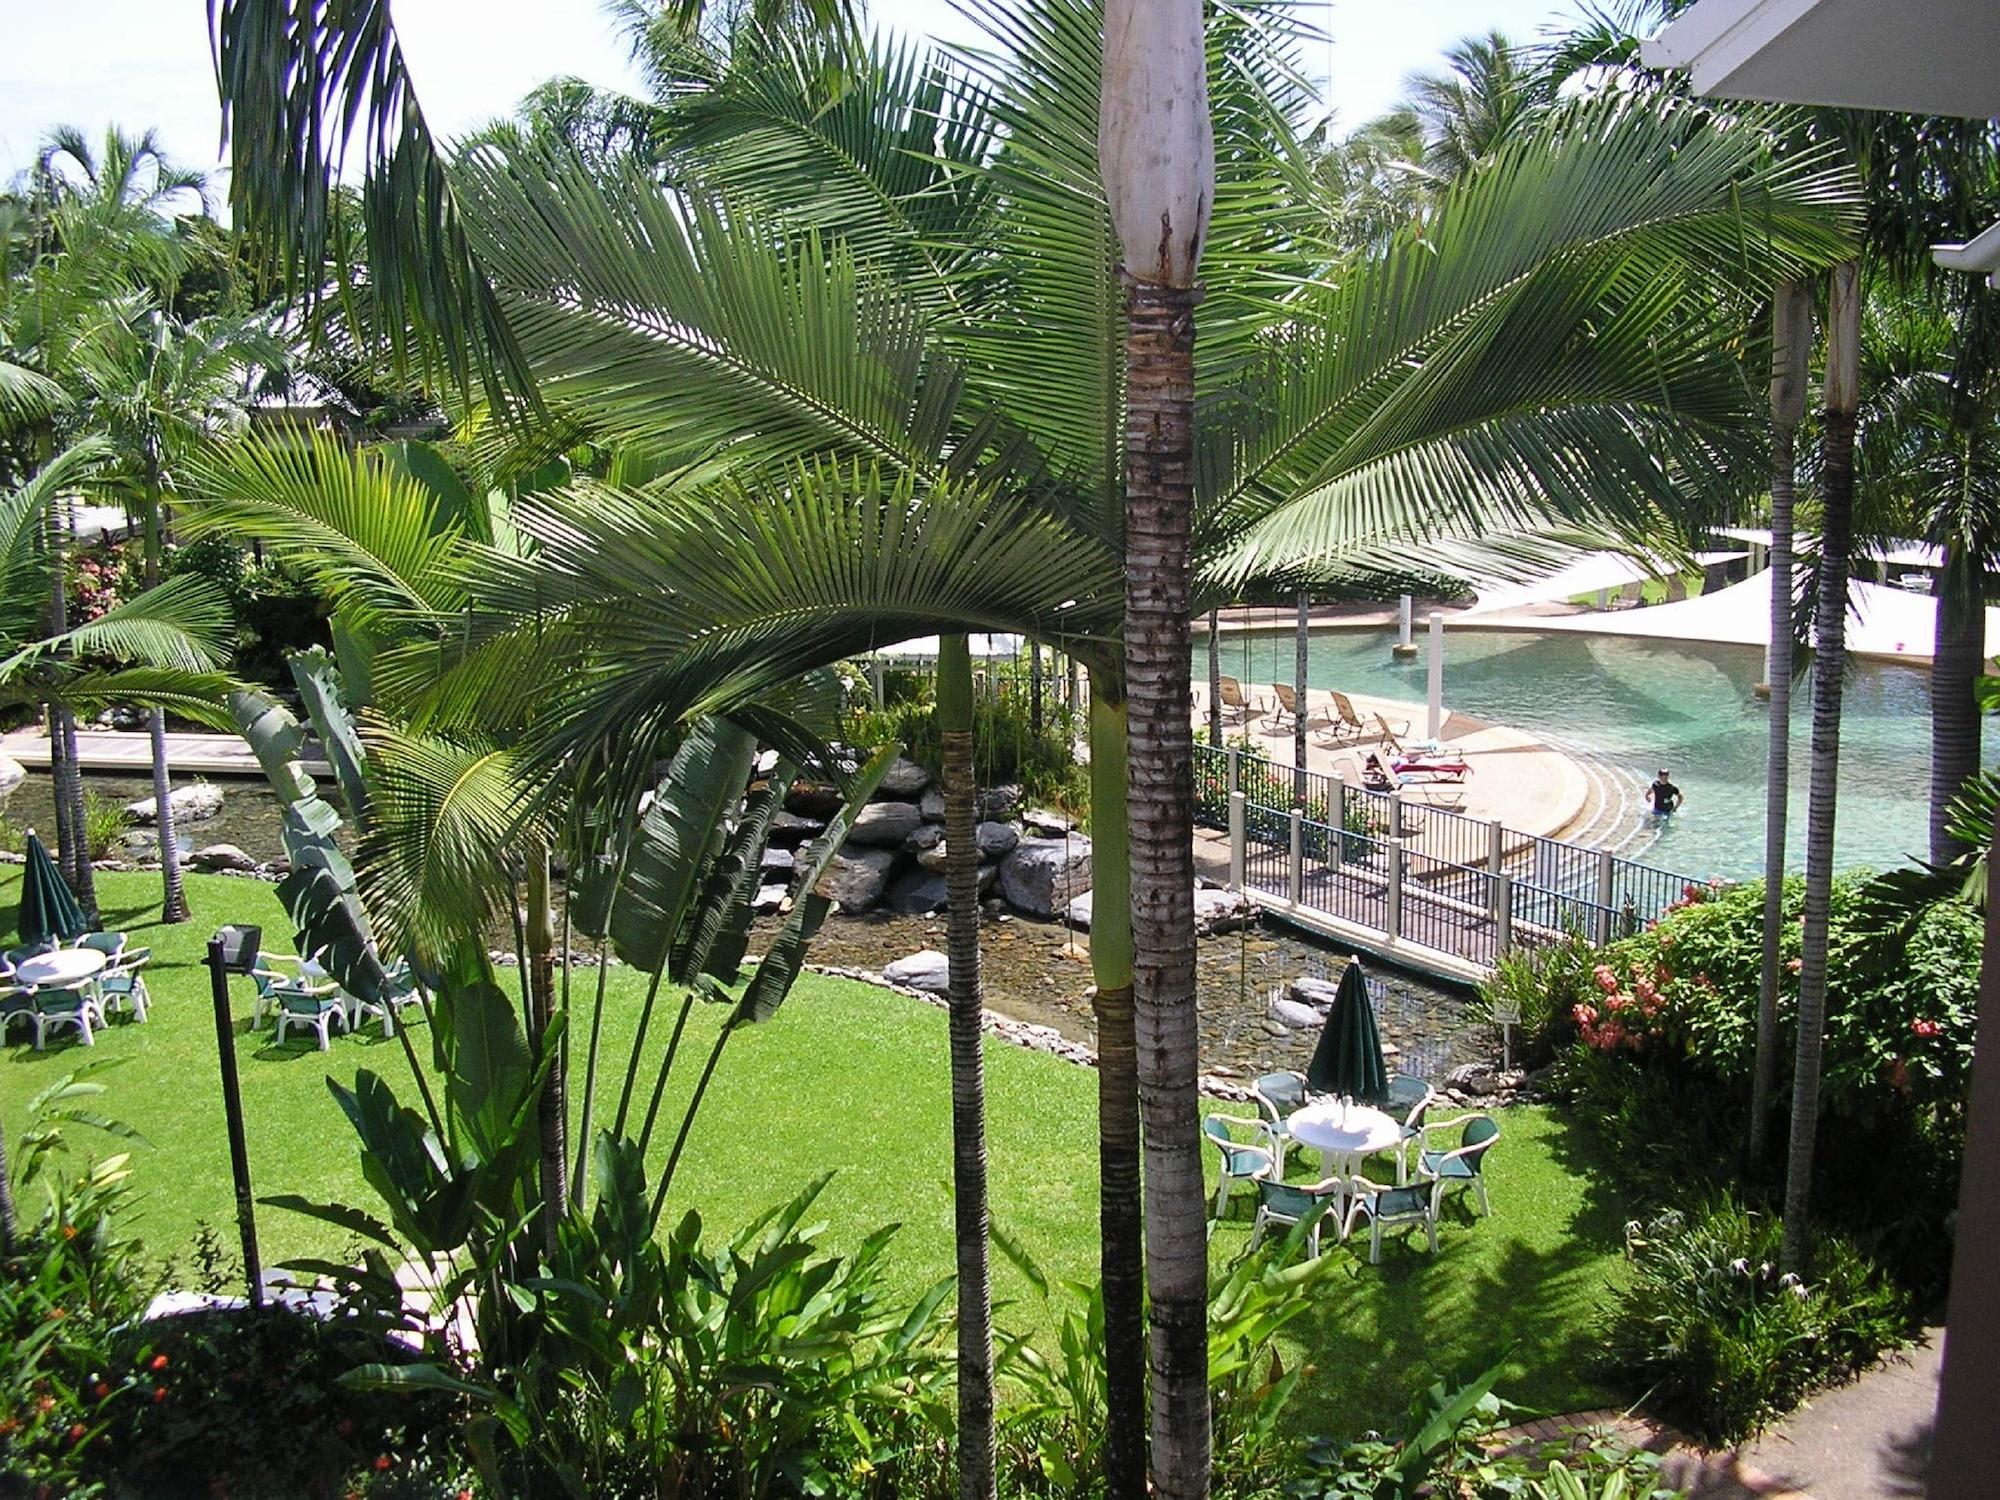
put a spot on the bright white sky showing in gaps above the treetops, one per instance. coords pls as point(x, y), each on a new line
point(145, 63)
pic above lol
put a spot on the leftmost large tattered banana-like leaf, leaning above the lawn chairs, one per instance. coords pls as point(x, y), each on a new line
point(319, 891)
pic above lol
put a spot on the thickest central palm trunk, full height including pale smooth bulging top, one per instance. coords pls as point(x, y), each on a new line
point(1157, 159)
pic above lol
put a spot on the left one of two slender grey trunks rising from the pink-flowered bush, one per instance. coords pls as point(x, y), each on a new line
point(1791, 357)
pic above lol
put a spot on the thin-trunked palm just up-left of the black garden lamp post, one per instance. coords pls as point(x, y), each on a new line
point(159, 389)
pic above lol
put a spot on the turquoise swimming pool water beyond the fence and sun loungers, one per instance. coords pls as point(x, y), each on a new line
point(1643, 705)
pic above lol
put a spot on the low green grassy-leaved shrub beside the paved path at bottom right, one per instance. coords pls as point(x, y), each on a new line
point(1721, 1341)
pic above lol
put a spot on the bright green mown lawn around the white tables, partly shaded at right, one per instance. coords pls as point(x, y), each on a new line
point(849, 1081)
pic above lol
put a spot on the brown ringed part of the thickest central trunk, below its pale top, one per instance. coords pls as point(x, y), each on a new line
point(1159, 529)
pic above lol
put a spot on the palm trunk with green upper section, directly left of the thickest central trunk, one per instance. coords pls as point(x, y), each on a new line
point(1121, 1251)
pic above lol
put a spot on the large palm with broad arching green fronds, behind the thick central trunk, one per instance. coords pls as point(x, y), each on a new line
point(917, 403)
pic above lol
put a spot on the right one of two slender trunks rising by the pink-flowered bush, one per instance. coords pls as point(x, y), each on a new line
point(1829, 669)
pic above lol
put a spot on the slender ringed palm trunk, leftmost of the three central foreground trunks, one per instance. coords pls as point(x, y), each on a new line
point(969, 1073)
